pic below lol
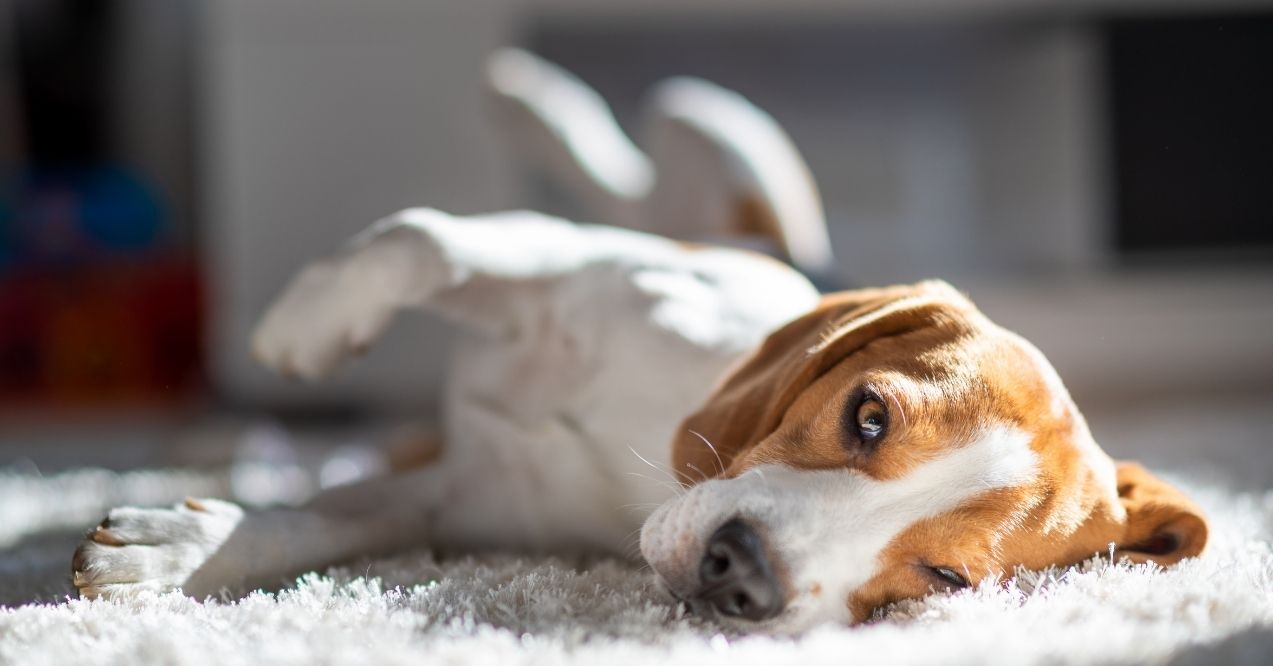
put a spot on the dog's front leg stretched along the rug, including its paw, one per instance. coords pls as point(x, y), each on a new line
point(206, 546)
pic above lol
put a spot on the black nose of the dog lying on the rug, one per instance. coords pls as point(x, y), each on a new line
point(736, 577)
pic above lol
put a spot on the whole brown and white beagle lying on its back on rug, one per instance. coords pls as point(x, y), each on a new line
point(789, 459)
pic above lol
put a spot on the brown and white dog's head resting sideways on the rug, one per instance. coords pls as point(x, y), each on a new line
point(890, 444)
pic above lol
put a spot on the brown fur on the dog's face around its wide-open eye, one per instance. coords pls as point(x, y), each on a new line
point(940, 393)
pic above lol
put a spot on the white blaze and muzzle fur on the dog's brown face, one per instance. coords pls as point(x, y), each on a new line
point(828, 528)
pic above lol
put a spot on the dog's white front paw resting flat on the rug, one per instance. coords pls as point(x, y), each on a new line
point(138, 549)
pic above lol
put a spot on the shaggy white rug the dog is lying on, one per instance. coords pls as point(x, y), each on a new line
point(502, 609)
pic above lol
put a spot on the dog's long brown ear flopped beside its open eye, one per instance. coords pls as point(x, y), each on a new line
point(752, 402)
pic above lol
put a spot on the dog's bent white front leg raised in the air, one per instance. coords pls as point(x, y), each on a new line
point(483, 272)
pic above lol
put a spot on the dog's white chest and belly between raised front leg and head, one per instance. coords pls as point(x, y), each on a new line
point(559, 435)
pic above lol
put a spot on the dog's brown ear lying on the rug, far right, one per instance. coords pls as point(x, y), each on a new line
point(1163, 525)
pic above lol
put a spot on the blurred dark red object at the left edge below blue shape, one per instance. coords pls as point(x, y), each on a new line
point(119, 333)
